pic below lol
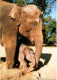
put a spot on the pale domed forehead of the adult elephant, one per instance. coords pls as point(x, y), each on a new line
point(31, 12)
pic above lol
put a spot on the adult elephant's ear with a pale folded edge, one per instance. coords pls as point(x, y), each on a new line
point(16, 14)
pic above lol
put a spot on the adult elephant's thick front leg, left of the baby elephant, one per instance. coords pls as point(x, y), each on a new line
point(10, 47)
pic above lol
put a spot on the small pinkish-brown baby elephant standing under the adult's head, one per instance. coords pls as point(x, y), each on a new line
point(28, 53)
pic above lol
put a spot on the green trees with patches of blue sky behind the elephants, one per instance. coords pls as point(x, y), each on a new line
point(49, 22)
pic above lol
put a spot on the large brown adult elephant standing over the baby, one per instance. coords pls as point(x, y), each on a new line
point(30, 25)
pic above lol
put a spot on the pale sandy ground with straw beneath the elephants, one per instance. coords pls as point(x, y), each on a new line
point(46, 69)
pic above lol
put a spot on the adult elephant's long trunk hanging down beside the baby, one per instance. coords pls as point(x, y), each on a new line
point(38, 39)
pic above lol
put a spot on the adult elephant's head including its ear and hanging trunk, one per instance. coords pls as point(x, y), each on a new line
point(31, 26)
